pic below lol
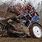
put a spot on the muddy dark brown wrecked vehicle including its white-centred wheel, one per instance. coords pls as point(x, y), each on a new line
point(20, 26)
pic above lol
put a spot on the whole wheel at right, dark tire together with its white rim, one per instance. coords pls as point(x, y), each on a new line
point(36, 30)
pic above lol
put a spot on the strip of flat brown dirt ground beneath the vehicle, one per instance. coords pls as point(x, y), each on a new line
point(8, 39)
